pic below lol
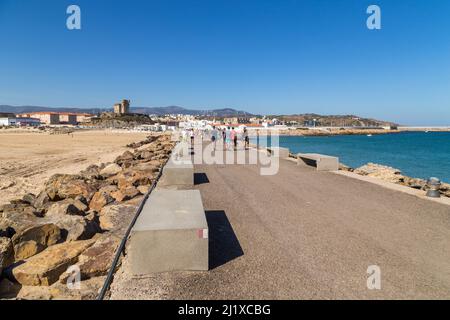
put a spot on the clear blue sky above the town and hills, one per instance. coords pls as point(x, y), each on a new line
point(282, 56)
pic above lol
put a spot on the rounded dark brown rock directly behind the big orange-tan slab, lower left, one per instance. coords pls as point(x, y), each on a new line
point(35, 239)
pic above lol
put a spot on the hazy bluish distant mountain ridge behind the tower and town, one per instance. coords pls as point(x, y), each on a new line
point(142, 110)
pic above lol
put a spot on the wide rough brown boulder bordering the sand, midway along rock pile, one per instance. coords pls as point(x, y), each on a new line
point(63, 186)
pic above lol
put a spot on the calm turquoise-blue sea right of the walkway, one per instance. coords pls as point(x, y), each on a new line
point(415, 154)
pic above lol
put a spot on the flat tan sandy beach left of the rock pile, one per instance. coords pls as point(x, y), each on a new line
point(28, 158)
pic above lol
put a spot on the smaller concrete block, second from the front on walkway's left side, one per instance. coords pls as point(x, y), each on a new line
point(179, 171)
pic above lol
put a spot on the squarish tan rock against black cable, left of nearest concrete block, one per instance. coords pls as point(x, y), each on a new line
point(116, 218)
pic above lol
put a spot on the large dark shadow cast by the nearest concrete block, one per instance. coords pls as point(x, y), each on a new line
point(223, 243)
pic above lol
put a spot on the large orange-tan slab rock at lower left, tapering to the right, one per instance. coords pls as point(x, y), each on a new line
point(45, 268)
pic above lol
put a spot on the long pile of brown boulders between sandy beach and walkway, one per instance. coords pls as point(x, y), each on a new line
point(75, 220)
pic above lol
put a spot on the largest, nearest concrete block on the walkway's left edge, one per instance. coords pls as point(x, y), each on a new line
point(171, 234)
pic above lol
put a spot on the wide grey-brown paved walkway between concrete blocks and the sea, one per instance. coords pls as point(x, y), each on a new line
point(303, 234)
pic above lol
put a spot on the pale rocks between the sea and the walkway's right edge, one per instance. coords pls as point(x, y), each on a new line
point(394, 175)
